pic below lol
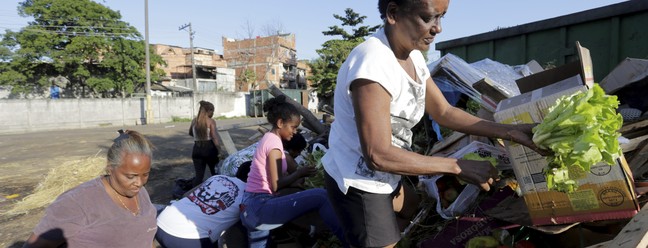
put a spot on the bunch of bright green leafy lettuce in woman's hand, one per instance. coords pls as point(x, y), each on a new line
point(581, 130)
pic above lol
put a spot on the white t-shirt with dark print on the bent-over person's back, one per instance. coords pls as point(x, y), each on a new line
point(206, 212)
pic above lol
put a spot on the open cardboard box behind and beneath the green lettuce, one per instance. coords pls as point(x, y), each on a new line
point(605, 192)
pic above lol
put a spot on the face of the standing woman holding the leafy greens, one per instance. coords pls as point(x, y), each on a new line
point(417, 28)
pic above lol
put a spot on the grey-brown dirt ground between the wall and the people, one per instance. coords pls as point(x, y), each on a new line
point(26, 158)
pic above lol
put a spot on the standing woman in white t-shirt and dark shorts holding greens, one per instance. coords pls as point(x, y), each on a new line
point(383, 89)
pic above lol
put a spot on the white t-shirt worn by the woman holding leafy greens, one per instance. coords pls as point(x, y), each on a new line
point(375, 61)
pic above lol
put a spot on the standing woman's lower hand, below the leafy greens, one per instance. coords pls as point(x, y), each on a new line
point(480, 173)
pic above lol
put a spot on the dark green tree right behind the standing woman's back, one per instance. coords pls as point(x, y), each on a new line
point(335, 51)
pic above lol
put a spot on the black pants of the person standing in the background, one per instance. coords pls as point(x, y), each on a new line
point(205, 154)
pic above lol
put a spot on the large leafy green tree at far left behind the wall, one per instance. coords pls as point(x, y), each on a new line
point(81, 40)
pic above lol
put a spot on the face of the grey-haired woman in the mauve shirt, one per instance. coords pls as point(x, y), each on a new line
point(131, 175)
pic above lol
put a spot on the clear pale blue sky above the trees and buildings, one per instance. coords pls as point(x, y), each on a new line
point(212, 20)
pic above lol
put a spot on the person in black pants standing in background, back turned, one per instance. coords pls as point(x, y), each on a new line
point(206, 142)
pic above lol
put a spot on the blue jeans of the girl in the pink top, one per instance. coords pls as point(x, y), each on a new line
point(264, 212)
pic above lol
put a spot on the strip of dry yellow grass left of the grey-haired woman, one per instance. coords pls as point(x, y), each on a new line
point(58, 180)
